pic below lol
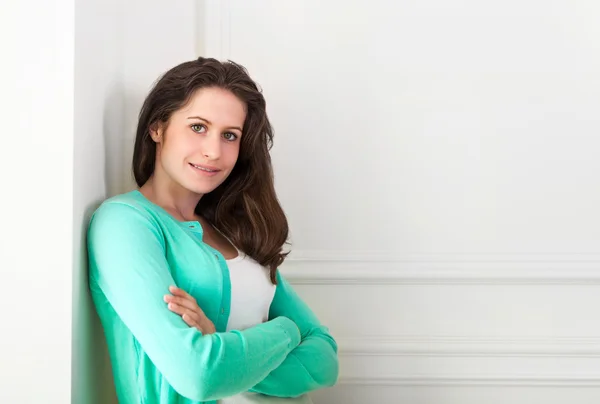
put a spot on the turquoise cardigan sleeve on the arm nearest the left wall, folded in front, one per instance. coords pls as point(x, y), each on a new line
point(128, 266)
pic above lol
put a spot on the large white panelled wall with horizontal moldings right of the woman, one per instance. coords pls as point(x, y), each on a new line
point(438, 162)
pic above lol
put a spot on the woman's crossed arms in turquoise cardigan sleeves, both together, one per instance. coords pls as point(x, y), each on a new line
point(287, 356)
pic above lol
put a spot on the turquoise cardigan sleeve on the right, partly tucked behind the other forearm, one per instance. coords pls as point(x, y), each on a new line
point(311, 365)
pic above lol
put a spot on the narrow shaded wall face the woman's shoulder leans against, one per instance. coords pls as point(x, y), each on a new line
point(98, 168)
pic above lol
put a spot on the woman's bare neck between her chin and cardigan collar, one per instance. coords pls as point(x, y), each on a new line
point(178, 201)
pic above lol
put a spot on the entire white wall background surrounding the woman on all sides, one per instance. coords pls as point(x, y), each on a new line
point(437, 161)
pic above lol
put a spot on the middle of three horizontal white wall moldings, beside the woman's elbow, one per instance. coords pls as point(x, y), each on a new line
point(470, 346)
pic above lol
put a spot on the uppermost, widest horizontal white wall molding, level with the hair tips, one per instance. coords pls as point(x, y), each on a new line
point(383, 268)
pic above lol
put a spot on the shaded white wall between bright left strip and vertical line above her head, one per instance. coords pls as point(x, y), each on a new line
point(114, 69)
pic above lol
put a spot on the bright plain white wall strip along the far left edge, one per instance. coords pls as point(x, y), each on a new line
point(36, 166)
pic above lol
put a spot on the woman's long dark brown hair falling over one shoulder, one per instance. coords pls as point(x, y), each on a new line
point(244, 207)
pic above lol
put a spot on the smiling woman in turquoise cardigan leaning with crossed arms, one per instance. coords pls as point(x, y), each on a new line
point(183, 270)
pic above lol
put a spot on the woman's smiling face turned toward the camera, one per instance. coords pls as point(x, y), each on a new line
point(200, 145)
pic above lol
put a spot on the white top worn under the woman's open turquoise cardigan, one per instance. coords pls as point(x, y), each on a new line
point(251, 296)
